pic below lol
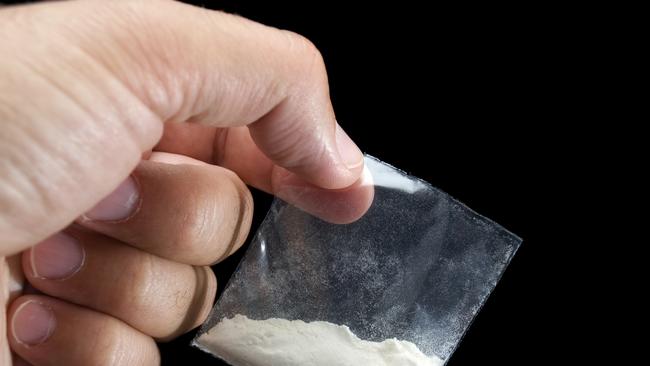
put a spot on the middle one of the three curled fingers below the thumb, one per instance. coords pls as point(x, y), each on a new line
point(159, 297)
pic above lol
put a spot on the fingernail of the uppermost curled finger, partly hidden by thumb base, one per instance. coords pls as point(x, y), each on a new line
point(119, 205)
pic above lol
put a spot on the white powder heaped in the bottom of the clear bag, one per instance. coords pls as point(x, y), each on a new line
point(279, 342)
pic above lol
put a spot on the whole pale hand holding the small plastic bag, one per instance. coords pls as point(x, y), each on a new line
point(129, 133)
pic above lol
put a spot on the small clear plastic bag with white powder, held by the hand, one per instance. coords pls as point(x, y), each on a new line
point(400, 286)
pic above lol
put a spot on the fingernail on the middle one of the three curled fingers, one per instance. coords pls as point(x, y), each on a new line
point(58, 257)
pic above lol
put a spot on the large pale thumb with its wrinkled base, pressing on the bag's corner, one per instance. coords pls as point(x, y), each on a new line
point(97, 102)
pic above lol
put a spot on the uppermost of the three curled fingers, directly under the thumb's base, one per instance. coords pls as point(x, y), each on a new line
point(195, 214)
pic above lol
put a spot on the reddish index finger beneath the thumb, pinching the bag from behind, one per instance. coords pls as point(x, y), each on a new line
point(234, 149)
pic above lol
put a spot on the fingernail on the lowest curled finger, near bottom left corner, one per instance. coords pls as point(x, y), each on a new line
point(33, 323)
